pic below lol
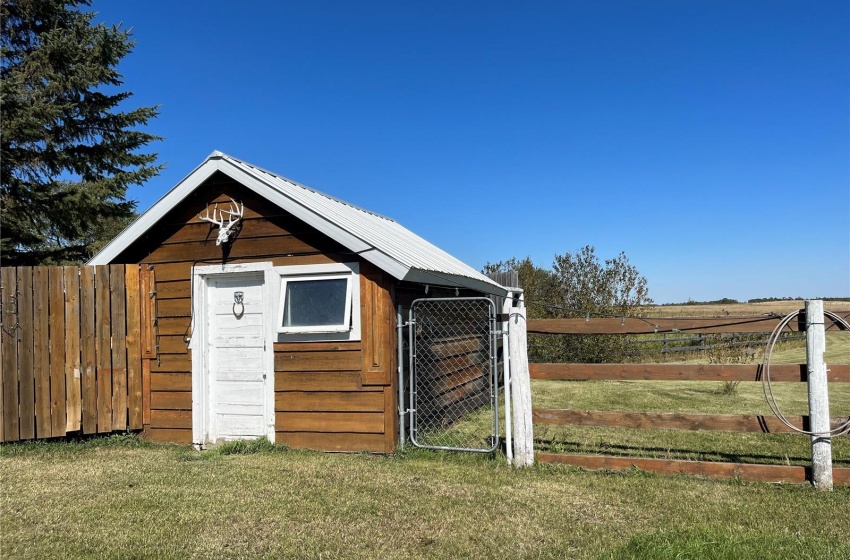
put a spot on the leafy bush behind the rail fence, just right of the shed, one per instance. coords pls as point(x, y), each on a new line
point(579, 284)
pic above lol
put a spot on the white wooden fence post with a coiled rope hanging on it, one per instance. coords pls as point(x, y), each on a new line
point(818, 396)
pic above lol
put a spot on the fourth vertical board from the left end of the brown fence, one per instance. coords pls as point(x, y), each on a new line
point(57, 335)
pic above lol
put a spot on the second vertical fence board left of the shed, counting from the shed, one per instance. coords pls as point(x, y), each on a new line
point(119, 348)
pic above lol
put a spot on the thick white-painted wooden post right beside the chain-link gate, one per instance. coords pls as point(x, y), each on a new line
point(523, 433)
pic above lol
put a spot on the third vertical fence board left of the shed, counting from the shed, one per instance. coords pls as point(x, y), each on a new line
point(103, 342)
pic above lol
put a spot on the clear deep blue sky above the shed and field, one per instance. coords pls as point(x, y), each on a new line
point(708, 140)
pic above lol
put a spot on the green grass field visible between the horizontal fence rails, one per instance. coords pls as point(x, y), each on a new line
point(694, 397)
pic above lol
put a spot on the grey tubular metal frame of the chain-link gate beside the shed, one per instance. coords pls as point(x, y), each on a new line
point(493, 333)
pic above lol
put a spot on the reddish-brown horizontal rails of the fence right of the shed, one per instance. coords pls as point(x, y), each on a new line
point(676, 372)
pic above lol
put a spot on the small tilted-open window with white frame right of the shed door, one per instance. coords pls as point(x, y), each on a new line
point(316, 299)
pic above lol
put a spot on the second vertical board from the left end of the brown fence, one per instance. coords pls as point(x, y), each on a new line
point(26, 371)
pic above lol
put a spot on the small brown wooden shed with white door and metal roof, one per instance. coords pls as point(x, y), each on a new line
point(283, 324)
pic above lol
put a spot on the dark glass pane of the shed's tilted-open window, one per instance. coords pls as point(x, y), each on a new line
point(309, 303)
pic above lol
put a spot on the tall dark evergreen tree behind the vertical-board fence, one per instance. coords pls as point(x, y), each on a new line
point(69, 152)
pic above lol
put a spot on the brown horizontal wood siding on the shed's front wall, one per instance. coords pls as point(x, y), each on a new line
point(336, 396)
